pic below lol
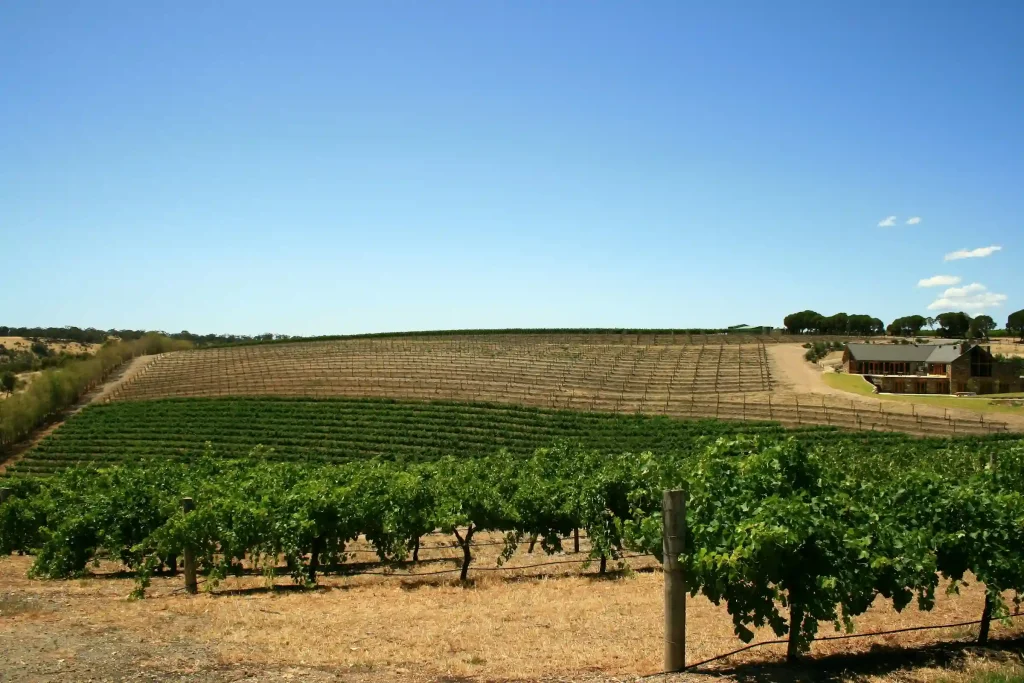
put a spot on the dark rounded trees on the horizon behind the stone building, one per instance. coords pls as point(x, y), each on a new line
point(949, 325)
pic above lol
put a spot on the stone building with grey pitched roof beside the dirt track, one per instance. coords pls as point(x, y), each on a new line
point(944, 368)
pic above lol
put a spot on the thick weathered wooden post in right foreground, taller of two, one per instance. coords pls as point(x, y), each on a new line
point(673, 535)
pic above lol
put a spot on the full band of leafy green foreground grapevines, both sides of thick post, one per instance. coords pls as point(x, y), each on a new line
point(788, 534)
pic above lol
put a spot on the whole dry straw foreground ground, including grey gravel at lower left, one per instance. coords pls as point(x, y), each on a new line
point(521, 626)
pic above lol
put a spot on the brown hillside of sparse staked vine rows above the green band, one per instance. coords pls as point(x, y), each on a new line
point(702, 377)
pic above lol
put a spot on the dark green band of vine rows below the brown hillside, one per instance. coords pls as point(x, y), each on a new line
point(345, 430)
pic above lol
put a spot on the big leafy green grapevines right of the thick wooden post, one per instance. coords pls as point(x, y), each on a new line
point(808, 530)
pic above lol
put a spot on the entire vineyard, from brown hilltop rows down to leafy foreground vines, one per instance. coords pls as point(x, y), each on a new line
point(440, 459)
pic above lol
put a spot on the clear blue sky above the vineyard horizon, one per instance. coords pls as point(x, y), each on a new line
point(318, 168)
